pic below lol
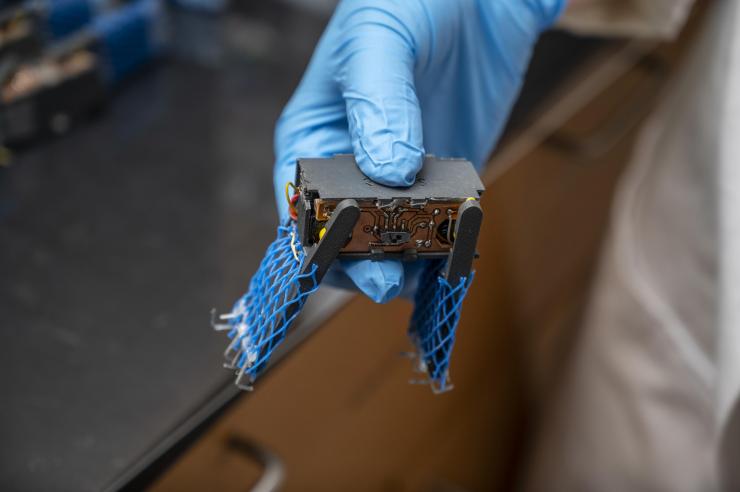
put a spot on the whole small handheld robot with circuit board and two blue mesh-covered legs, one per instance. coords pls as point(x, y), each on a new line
point(337, 212)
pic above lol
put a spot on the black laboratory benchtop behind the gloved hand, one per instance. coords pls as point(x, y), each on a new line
point(117, 240)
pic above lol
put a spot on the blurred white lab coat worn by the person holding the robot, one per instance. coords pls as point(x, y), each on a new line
point(650, 399)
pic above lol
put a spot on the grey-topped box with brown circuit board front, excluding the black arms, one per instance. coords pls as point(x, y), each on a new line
point(406, 223)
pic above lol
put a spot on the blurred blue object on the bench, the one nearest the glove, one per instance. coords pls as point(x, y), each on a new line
point(130, 37)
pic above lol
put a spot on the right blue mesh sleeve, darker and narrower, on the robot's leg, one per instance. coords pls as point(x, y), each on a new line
point(433, 324)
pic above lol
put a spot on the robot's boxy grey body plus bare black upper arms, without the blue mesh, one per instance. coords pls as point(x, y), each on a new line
point(341, 213)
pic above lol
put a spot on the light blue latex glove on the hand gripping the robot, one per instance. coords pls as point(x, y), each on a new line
point(391, 80)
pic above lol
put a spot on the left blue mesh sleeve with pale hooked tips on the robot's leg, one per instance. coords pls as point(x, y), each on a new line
point(261, 318)
